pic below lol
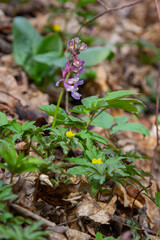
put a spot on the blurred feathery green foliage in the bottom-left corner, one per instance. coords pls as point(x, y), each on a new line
point(16, 227)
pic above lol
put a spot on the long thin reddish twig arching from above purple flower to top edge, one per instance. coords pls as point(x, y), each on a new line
point(107, 11)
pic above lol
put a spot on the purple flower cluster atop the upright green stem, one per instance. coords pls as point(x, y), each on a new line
point(74, 66)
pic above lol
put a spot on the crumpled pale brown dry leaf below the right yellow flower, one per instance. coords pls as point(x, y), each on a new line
point(97, 211)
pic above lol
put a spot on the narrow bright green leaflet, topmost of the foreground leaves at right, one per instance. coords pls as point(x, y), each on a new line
point(118, 94)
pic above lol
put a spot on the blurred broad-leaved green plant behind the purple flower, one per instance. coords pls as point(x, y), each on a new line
point(42, 57)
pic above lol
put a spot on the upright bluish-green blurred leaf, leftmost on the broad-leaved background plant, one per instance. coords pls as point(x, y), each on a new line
point(26, 40)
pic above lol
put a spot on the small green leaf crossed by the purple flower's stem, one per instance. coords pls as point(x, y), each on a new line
point(50, 110)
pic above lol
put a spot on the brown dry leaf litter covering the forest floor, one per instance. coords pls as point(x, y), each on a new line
point(127, 32)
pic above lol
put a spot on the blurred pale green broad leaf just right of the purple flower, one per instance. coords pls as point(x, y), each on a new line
point(95, 55)
